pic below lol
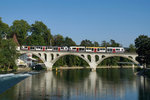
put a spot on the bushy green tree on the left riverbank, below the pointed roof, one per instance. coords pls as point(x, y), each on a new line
point(8, 54)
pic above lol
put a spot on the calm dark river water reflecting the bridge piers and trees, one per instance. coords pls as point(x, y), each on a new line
point(104, 84)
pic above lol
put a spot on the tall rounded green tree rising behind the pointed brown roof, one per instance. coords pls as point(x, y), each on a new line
point(21, 29)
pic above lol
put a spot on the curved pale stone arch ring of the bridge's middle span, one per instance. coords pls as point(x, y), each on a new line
point(81, 56)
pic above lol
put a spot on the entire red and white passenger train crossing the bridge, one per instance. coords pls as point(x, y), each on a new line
point(75, 49)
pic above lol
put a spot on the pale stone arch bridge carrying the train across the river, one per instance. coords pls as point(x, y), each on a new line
point(49, 58)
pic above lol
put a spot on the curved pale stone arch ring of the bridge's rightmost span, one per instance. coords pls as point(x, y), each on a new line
point(128, 57)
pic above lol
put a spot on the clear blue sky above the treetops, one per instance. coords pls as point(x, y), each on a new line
point(95, 20)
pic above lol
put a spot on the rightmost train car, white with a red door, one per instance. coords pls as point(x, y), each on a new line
point(115, 50)
